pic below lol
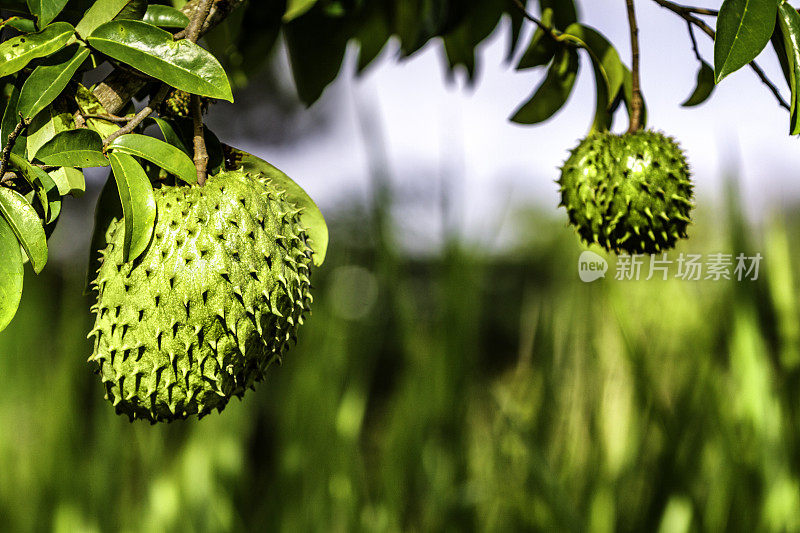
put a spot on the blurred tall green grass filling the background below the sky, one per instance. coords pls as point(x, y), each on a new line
point(461, 390)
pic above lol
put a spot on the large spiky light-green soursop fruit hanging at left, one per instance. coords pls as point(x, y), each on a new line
point(214, 300)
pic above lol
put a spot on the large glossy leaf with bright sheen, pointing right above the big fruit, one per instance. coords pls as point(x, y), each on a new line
point(181, 64)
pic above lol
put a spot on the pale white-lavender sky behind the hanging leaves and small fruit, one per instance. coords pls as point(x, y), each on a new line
point(433, 128)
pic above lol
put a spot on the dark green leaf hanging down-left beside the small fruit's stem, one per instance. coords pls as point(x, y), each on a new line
point(554, 91)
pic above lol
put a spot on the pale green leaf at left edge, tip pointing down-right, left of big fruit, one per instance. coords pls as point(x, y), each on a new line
point(27, 226)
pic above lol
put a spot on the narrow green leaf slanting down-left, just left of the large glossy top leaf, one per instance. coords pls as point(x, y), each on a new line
point(48, 80)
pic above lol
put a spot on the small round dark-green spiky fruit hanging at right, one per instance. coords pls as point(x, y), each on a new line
point(629, 192)
